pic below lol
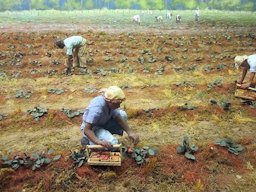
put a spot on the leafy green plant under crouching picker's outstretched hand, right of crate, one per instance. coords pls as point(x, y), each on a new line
point(140, 155)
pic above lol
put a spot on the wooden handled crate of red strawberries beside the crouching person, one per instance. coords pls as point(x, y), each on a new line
point(98, 155)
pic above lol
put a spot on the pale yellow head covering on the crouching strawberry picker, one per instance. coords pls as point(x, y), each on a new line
point(114, 94)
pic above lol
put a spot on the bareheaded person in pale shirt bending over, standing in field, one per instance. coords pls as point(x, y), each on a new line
point(75, 46)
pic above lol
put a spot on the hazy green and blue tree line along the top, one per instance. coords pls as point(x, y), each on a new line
point(243, 5)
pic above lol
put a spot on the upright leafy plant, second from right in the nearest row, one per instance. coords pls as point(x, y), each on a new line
point(186, 149)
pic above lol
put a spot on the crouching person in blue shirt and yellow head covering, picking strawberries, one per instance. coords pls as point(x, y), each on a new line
point(103, 118)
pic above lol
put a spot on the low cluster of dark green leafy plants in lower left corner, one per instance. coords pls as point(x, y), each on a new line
point(36, 161)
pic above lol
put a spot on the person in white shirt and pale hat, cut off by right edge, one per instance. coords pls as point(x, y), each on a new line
point(246, 63)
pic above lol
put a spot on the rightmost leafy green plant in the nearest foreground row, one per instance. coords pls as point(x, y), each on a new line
point(230, 145)
